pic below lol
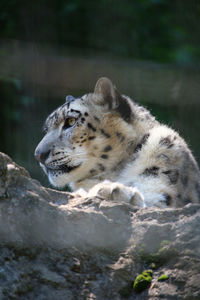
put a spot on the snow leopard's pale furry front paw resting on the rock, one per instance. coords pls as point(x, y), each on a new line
point(118, 192)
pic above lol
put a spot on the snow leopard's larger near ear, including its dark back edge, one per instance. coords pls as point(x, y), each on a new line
point(108, 96)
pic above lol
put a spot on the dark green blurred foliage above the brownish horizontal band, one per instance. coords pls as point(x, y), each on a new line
point(158, 30)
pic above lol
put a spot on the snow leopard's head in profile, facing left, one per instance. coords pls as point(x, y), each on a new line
point(86, 136)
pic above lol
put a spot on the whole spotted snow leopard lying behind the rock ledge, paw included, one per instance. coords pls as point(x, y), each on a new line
point(112, 138)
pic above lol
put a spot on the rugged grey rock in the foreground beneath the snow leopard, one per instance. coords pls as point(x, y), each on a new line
point(56, 247)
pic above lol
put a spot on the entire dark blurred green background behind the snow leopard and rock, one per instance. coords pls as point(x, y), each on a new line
point(48, 49)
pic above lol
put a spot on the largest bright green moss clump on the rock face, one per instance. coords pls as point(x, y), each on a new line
point(143, 281)
